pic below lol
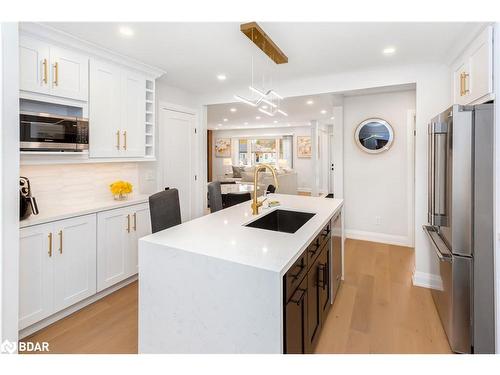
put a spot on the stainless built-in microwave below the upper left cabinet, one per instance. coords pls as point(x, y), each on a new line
point(48, 132)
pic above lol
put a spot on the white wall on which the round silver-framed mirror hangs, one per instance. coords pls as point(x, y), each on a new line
point(376, 185)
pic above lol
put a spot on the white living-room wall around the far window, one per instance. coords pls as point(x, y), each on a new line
point(303, 166)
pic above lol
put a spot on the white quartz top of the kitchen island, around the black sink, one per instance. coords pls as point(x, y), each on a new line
point(223, 235)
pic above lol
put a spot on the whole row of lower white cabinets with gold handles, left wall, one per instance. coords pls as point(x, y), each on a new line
point(66, 261)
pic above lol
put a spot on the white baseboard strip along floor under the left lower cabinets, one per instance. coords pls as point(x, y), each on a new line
point(74, 308)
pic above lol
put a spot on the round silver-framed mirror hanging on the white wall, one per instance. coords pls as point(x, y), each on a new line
point(374, 135)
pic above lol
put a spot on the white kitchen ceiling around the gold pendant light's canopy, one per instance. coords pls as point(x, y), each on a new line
point(193, 54)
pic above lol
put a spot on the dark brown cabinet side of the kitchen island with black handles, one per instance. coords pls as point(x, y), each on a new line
point(307, 295)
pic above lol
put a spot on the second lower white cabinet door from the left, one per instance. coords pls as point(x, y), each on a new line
point(74, 260)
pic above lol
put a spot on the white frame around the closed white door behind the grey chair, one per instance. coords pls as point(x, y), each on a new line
point(197, 155)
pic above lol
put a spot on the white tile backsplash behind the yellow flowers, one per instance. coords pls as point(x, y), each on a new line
point(77, 184)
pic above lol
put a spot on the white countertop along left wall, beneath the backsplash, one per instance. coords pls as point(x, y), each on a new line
point(65, 211)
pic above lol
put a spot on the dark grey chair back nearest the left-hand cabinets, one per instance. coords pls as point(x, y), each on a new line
point(165, 211)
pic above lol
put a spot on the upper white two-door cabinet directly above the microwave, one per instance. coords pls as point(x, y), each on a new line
point(51, 70)
